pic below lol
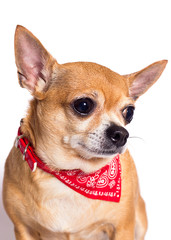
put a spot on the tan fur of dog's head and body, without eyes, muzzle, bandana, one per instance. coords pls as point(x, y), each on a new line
point(39, 205)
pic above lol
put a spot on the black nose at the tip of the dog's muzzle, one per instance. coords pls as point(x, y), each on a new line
point(118, 135)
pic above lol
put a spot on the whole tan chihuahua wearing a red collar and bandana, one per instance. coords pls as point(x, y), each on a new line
point(75, 125)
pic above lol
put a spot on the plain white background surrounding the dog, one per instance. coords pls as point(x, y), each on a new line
point(125, 36)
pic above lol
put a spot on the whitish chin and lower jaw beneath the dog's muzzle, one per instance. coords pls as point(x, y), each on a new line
point(89, 153)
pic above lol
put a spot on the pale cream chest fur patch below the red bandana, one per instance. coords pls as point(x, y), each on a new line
point(64, 210)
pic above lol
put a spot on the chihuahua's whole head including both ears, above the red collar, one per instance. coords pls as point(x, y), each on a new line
point(80, 110)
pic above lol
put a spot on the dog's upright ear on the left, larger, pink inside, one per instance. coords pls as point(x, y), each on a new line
point(33, 61)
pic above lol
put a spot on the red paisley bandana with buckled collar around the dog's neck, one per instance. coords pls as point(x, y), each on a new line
point(104, 184)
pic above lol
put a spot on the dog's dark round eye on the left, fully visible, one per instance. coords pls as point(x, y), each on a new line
point(83, 106)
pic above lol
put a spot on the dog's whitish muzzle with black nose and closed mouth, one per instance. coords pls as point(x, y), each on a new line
point(100, 144)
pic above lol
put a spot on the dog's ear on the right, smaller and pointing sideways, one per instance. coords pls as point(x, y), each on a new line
point(141, 81)
